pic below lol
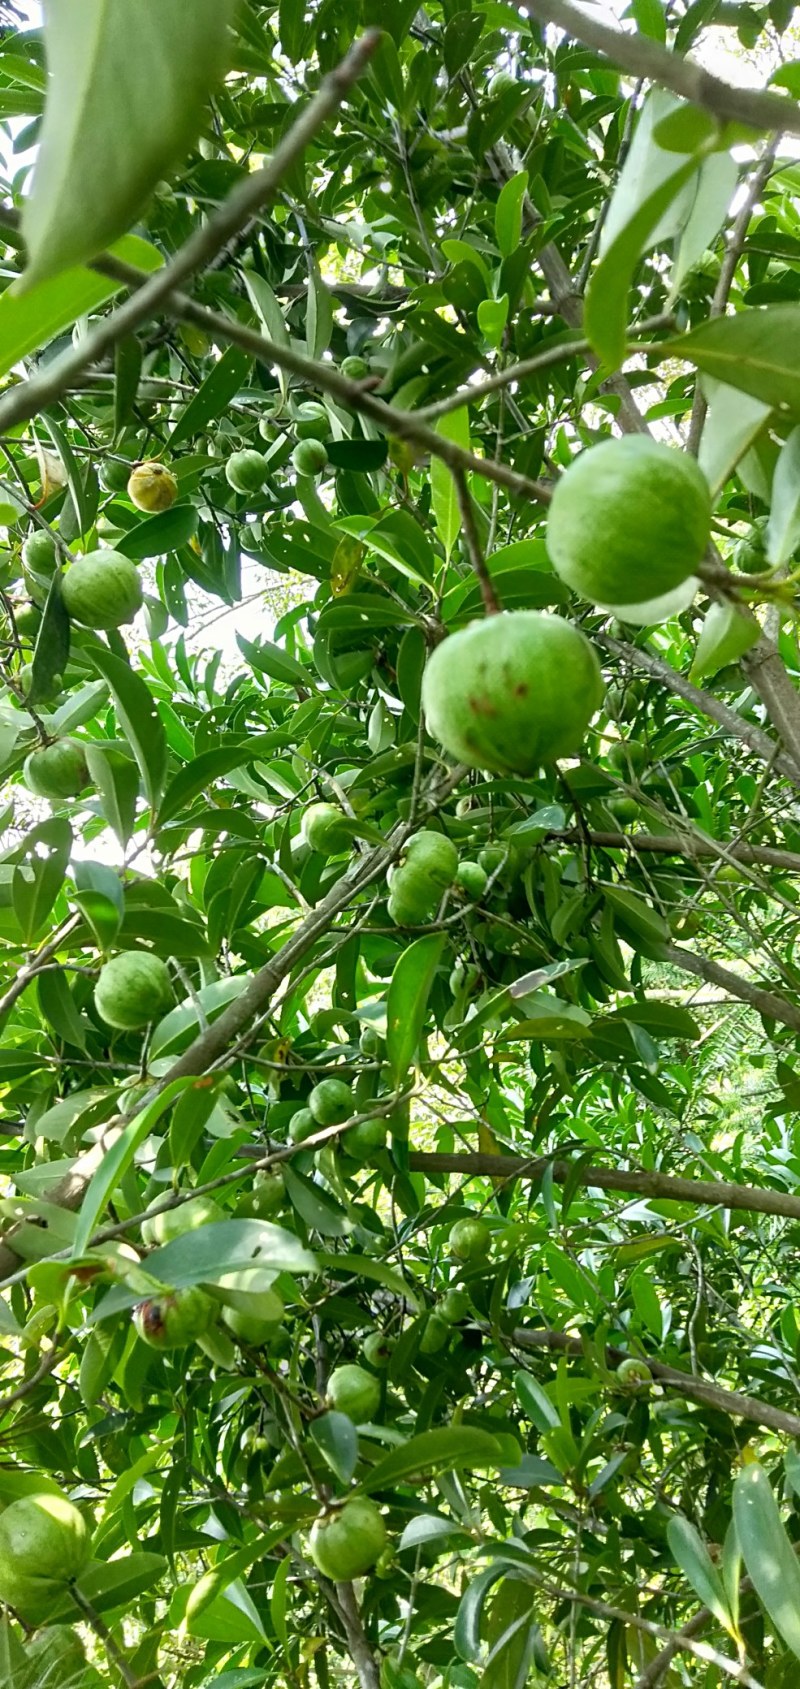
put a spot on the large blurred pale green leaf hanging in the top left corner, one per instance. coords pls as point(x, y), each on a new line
point(127, 87)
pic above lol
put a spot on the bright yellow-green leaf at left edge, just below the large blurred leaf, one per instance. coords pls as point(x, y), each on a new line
point(30, 322)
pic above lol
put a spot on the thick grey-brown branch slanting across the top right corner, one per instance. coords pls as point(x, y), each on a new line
point(642, 57)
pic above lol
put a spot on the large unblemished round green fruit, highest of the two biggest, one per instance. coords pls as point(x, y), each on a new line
point(629, 521)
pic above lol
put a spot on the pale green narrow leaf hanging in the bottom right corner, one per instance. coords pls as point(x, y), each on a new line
point(767, 1553)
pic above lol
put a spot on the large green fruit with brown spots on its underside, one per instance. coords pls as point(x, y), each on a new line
point(512, 692)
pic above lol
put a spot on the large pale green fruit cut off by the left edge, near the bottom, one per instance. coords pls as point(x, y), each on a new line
point(45, 1545)
